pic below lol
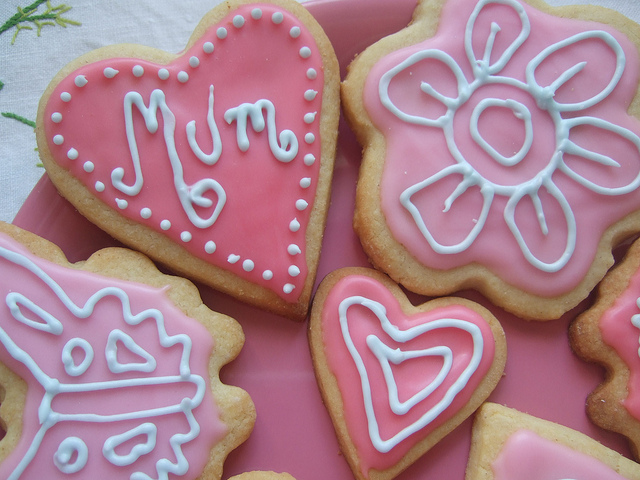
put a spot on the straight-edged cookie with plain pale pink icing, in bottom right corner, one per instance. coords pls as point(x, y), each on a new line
point(507, 445)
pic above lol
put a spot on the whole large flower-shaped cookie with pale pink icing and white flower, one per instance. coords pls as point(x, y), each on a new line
point(501, 150)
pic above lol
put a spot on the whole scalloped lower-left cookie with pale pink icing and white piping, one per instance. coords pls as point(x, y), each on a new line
point(110, 369)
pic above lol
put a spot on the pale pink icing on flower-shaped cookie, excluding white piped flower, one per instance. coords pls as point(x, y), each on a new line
point(416, 152)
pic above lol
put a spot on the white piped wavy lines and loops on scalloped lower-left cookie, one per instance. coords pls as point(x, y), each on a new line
point(72, 453)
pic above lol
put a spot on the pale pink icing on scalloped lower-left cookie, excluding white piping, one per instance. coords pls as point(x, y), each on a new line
point(45, 349)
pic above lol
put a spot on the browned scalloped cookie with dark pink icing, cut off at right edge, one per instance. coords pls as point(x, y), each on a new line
point(608, 333)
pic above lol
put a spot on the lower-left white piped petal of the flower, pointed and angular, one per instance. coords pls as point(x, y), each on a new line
point(464, 188)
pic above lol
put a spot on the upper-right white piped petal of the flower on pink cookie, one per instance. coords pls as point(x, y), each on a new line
point(564, 53)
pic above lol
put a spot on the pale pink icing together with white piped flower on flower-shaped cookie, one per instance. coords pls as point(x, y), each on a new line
point(502, 65)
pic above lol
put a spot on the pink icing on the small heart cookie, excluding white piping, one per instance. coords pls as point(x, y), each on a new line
point(411, 375)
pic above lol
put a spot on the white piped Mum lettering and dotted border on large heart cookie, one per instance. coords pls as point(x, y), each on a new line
point(258, 116)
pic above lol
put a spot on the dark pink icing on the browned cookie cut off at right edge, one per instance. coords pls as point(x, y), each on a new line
point(618, 332)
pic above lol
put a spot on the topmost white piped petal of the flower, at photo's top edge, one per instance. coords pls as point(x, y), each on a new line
point(482, 63)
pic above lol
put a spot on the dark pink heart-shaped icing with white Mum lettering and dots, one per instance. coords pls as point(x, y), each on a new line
point(227, 168)
